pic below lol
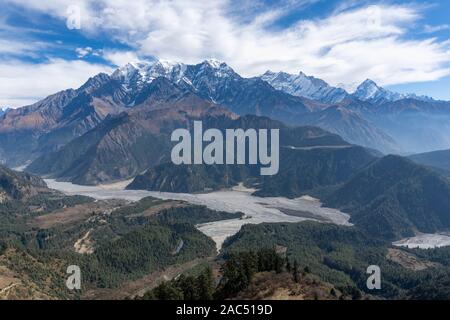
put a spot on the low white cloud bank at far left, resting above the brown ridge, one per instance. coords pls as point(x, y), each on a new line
point(25, 83)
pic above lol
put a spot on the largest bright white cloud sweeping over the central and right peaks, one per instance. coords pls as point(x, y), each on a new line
point(352, 44)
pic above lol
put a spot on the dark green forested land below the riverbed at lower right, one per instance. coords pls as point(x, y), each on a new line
point(341, 255)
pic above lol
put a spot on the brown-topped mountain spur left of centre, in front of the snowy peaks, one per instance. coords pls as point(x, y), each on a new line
point(125, 145)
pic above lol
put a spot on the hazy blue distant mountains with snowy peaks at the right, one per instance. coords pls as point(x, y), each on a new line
point(382, 119)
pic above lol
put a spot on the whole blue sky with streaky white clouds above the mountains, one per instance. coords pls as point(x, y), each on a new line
point(402, 45)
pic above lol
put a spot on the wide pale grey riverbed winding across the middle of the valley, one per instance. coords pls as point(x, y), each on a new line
point(239, 199)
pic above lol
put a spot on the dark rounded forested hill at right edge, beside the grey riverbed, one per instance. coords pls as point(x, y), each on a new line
point(394, 197)
